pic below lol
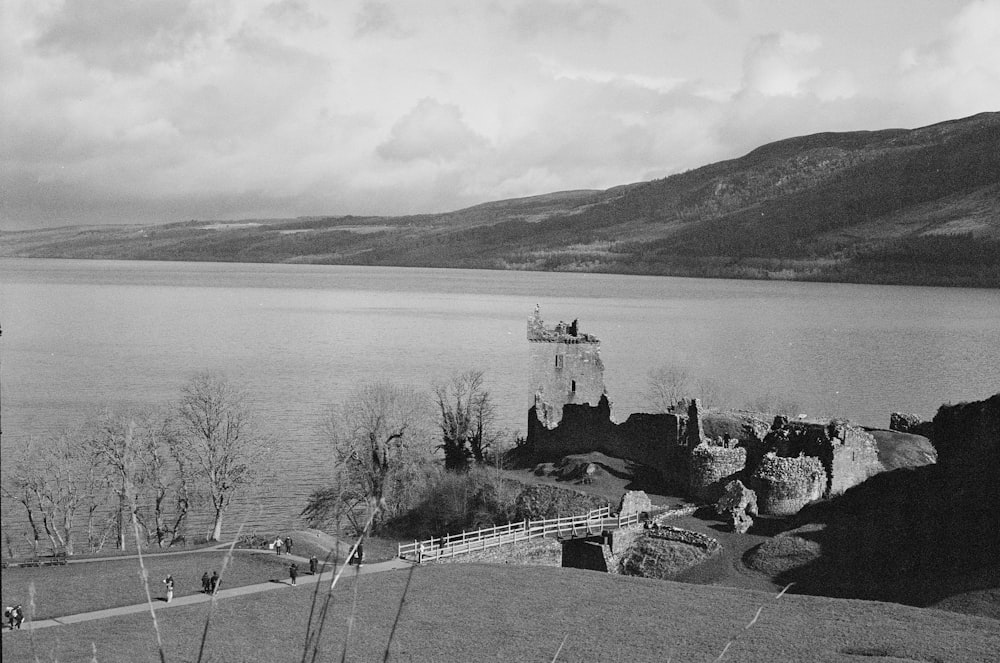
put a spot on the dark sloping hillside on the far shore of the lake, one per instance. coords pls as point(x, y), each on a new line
point(917, 206)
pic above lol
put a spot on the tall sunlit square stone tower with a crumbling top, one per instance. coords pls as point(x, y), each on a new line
point(566, 367)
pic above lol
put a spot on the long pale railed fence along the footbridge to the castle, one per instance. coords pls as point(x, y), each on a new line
point(590, 524)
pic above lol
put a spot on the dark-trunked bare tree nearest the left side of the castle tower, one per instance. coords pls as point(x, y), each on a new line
point(467, 420)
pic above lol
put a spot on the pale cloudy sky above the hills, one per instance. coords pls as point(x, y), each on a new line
point(148, 111)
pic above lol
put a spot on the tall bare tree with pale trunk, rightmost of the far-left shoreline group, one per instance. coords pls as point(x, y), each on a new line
point(219, 440)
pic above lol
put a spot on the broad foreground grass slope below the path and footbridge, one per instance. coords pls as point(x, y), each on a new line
point(471, 612)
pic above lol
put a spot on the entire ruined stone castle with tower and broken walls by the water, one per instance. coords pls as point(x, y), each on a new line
point(695, 451)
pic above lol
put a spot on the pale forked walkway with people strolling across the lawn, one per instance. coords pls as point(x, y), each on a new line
point(158, 604)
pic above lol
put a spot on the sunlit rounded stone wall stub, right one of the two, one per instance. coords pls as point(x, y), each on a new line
point(785, 485)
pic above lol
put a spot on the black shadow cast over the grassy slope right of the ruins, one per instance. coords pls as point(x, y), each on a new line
point(908, 536)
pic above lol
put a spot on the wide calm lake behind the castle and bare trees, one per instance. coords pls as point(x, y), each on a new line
point(78, 335)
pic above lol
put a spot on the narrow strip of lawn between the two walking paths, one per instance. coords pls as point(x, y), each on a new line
point(74, 588)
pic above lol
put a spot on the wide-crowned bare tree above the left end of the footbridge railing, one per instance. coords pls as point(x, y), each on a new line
point(379, 440)
